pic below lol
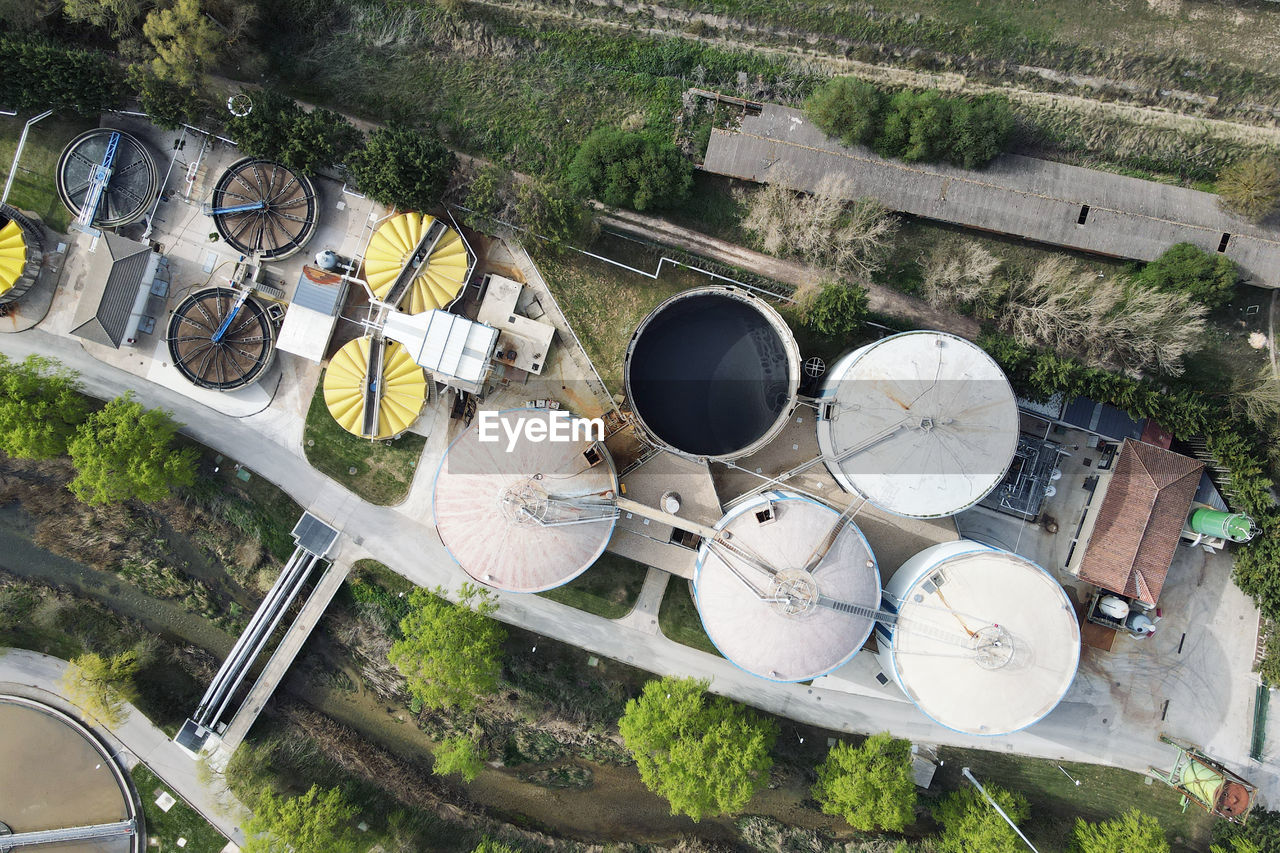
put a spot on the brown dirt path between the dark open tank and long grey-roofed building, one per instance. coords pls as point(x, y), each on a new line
point(801, 276)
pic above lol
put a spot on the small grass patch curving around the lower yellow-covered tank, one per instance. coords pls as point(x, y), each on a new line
point(383, 471)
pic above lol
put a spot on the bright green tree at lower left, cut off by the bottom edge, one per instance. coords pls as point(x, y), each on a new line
point(318, 822)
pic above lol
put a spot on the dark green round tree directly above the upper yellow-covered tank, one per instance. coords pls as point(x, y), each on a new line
point(403, 168)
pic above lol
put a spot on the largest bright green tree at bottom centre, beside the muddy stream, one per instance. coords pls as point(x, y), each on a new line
point(706, 755)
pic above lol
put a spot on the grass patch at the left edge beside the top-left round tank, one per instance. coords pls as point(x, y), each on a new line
point(34, 188)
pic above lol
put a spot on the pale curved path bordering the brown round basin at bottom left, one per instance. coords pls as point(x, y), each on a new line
point(136, 740)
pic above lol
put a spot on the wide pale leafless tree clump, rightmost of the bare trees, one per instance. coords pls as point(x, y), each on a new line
point(1104, 322)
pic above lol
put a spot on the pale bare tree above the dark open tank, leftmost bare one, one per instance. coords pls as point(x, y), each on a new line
point(852, 239)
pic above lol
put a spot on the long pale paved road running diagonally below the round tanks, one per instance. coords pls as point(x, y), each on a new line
point(405, 540)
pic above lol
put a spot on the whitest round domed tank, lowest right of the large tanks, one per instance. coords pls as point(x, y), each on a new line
point(986, 642)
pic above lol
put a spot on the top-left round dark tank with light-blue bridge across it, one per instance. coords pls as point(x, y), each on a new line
point(134, 184)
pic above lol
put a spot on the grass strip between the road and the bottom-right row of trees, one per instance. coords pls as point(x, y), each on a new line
point(1057, 802)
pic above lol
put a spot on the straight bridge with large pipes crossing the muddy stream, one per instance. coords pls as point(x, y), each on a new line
point(316, 542)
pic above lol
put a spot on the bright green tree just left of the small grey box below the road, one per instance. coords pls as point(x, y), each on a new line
point(870, 786)
